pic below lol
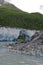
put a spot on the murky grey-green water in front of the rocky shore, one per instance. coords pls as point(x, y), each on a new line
point(12, 58)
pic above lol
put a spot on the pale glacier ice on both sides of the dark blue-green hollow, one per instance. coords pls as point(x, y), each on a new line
point(9, 34)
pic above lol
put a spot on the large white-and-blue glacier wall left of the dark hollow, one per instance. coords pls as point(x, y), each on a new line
point(8, 33)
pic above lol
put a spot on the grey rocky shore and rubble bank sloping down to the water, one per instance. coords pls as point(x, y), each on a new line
point(33, 47)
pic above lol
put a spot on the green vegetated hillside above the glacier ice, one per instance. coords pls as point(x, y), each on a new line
point(13, 17)
